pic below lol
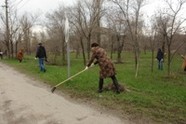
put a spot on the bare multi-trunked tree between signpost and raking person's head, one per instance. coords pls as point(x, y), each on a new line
point(85, 18)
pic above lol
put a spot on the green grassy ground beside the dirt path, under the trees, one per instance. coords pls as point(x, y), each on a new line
point(152, 94)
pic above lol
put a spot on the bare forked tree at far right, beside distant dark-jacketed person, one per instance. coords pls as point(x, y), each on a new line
point(169, 23)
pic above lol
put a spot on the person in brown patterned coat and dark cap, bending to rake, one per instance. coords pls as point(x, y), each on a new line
point(107, 68)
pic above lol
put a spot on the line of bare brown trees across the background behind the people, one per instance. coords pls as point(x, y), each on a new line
point(117, 25)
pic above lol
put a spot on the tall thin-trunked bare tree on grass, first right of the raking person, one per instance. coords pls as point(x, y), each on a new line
point(131, 12)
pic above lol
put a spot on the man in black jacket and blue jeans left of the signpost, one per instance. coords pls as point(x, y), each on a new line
point(41, 55)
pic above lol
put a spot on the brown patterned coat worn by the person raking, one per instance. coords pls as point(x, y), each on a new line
point(106, 66)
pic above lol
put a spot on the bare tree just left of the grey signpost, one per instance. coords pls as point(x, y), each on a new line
point(55, 29)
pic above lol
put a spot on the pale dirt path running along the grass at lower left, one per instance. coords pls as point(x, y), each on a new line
point(23, 101)
